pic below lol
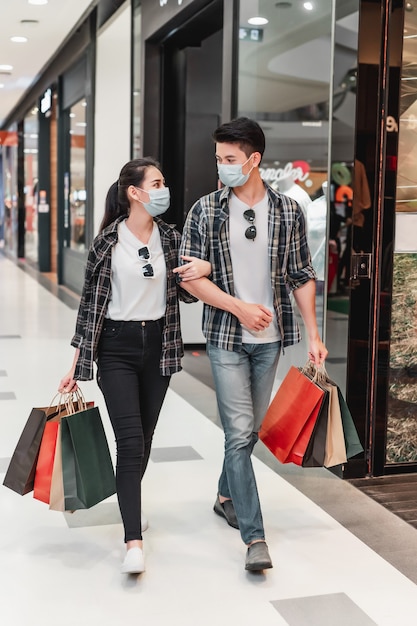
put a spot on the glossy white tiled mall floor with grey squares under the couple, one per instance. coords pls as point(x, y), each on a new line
point(339, 557)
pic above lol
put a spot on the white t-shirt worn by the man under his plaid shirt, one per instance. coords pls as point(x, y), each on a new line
point(251, 264)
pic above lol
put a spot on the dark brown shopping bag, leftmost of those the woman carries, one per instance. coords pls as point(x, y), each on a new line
point(20, 474)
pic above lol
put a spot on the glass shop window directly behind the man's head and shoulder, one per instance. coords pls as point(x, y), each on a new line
point(285, 53)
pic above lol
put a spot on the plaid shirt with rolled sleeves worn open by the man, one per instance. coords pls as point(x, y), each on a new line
point(206, 236)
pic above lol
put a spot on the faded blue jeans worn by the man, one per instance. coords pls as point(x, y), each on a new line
point(243, 382)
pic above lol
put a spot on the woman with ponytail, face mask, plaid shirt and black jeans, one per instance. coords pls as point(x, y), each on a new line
point(128, 323)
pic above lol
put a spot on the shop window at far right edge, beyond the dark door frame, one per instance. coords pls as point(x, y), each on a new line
point(402, 398)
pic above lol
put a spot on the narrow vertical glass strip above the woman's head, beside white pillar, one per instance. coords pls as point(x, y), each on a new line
point(136, 81)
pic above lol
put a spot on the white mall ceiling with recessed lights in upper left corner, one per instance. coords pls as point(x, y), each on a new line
point(45, 27)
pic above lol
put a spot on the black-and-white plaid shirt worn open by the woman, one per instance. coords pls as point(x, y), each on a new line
point(97, 294)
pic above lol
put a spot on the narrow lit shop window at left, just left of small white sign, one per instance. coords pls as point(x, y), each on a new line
point(30, 149)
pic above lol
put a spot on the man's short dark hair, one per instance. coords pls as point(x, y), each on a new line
point(243, 131)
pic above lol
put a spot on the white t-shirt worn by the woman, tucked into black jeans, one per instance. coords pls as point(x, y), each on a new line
point(134, 297)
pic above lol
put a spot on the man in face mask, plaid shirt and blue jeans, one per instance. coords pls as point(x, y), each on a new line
point(255, 240)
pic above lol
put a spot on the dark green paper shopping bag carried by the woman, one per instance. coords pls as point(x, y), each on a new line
point(87, 468)
